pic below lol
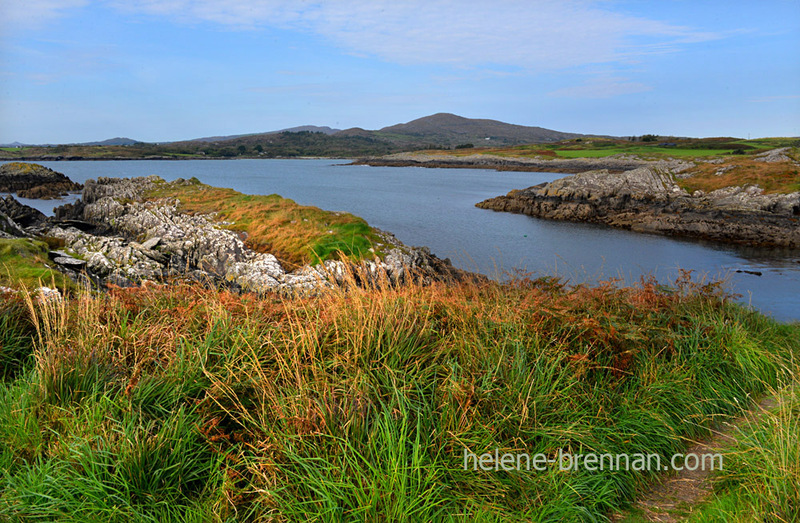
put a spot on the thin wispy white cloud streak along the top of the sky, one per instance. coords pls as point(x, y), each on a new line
point(545, 34)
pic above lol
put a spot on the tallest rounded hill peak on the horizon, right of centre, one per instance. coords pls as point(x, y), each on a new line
point(450, 130)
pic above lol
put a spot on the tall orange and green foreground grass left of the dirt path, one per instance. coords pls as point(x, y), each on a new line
point(189, 404)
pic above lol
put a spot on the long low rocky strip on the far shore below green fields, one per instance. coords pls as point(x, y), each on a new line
point(617, 164)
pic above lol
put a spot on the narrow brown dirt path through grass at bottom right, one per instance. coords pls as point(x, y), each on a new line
point(677, 496)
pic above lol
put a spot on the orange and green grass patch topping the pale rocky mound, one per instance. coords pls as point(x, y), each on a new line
point(295, 234)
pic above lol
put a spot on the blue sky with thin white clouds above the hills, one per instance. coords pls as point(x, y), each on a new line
point(160, 70)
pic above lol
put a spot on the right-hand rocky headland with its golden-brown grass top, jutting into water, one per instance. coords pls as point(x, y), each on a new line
point(754, 201)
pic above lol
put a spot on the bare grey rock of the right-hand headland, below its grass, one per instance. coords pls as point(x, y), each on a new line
point(647, 199)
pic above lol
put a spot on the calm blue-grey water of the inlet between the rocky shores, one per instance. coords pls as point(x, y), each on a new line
point(435, 207)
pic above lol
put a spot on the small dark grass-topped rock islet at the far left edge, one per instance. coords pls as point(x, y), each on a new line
point(30, 180)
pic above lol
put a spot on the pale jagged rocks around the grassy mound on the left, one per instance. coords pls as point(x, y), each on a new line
point(115, 236)
